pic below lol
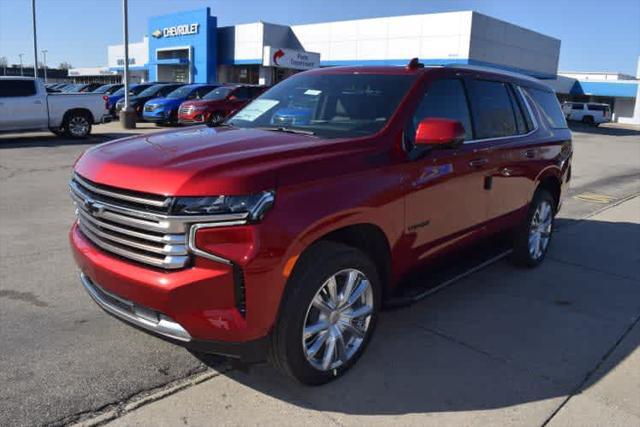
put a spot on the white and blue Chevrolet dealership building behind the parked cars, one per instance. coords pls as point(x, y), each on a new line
point(190, 47)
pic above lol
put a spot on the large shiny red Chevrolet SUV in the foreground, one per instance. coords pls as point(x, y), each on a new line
point(280, 231)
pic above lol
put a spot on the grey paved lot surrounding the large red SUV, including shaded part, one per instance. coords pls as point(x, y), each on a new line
point(558, 344)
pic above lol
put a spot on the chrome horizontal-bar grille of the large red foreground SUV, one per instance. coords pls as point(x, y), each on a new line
point(130, 224)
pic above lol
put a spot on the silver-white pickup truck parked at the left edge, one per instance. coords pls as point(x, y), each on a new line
point(25, 105)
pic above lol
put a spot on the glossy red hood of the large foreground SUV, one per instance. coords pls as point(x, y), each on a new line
point(210, 161)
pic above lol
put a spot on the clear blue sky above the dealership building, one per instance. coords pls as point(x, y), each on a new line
point(596, 35)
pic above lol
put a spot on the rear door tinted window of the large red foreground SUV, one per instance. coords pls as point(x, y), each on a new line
point(491, 108)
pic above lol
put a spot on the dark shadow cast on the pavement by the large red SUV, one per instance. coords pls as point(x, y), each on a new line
point(501, 337)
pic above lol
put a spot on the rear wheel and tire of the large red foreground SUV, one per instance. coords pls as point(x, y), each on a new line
point(533, 236)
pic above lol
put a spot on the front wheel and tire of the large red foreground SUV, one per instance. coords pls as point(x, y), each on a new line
point(328, 314)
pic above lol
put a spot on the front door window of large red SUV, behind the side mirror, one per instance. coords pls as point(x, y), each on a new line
point(444, 99)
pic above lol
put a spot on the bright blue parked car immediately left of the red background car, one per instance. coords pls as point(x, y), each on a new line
point(165, 110)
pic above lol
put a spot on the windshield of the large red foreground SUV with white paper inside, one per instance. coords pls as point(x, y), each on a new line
point(327, 105)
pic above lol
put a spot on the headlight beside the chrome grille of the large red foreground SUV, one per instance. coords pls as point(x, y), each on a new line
point(256, 205)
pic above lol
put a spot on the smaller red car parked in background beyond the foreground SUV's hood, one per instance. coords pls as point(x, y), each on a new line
point(217, 104)
